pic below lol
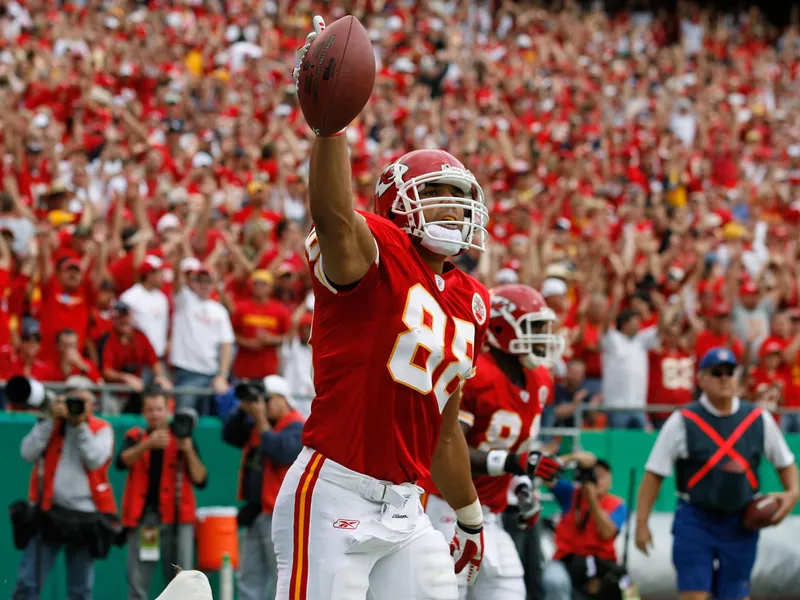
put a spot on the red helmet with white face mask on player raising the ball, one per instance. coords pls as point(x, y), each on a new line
point(397, 195)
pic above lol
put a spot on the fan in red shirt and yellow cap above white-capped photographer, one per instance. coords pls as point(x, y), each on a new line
point(260, 323)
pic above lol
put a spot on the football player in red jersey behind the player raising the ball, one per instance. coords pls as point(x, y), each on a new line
point(500, 413)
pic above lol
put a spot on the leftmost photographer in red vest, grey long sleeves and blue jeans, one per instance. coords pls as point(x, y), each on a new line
point(70, 503)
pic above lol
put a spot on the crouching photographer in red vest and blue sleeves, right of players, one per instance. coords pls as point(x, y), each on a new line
point(585, 560)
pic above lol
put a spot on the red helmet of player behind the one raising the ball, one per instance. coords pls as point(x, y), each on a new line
point(522, 324)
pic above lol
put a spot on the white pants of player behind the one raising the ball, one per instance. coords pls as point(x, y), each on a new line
point(501, 574)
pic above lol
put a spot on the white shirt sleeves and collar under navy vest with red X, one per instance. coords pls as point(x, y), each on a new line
point(671, 443)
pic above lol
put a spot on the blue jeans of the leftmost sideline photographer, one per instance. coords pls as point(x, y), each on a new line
point(80, 571)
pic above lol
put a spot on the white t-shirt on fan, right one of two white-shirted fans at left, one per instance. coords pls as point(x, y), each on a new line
point(198, 328)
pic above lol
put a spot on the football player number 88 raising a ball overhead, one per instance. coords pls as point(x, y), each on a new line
point(396, 330)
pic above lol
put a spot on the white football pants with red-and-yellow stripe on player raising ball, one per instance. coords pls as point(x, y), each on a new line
point(340, 535)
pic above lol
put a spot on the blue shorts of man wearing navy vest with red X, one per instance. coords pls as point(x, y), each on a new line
point(700, 539)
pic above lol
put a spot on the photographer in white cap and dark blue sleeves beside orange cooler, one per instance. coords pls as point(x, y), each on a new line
point(268, 429)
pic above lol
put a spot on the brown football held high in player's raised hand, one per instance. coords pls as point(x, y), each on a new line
point(336, 76)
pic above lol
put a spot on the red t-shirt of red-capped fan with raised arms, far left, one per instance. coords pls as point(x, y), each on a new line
point(62, 310)
